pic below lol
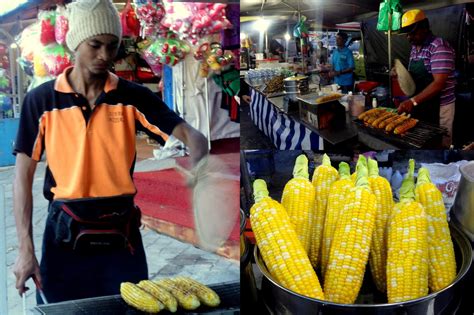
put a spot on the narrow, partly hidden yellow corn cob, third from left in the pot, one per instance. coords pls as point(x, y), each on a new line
point(323, 177)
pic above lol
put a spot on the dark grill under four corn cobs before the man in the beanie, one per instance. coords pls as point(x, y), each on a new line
point(114, 304)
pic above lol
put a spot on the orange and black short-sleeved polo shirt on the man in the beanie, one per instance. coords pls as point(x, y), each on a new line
point(90, 153)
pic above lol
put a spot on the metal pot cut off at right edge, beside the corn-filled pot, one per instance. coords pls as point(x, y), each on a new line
point(463, 207)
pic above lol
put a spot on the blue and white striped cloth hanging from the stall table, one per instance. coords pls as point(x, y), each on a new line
point(284, 131)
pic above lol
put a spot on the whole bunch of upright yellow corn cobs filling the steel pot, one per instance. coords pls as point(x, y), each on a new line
point(341, 222)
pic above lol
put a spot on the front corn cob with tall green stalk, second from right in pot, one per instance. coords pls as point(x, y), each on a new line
point(407, 259)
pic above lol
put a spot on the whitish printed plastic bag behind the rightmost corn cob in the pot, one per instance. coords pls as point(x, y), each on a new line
point(446, 177)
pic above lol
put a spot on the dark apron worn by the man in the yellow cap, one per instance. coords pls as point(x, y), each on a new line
point(428, 110)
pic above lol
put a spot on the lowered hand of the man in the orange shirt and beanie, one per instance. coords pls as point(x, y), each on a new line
point(26, 266)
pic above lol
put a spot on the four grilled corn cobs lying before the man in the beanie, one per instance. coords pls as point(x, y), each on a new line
point(153, 296)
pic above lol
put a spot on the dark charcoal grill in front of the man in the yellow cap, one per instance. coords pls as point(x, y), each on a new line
point(423, 135)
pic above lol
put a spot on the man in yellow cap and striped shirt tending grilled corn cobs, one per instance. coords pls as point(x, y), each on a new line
point(432, 68)
